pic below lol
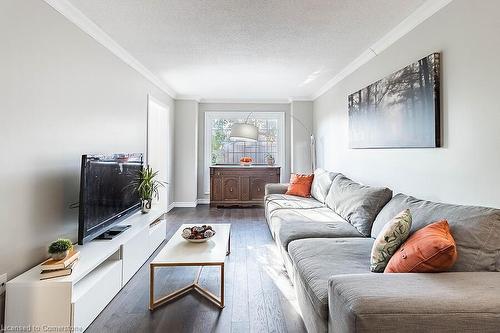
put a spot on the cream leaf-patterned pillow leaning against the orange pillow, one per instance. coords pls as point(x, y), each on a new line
point(394, 233)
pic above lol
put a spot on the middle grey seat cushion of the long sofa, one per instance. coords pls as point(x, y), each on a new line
point(287, 225)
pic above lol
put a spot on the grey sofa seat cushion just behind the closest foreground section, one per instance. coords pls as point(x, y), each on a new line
point(316, 260)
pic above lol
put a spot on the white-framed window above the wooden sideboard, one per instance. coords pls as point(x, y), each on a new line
point(219, 149)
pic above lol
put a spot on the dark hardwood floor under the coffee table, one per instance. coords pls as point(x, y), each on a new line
point(259, 295)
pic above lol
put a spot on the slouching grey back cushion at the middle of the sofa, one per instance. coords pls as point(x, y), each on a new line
point(358, 204)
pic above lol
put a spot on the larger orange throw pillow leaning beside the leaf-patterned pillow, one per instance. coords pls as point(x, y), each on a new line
point(430, 249)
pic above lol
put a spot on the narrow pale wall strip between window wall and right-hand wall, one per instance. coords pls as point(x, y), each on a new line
point(301, 127)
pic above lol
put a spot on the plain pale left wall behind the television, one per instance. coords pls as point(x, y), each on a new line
point(61, 95)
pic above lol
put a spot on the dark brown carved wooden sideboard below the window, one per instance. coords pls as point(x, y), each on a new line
point(234, 185)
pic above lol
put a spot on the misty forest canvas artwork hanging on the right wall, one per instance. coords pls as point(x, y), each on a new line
point(399, 111)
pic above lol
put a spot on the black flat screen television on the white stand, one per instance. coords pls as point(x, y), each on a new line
point(106, 194)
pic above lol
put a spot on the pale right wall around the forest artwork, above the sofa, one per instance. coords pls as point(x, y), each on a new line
point(466, 169)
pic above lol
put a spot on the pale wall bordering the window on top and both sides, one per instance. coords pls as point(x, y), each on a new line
point(245, 108)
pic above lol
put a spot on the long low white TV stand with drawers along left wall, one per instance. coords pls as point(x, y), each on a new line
point(71, 303)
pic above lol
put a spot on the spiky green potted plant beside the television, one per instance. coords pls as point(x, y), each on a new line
point(148, 187)
